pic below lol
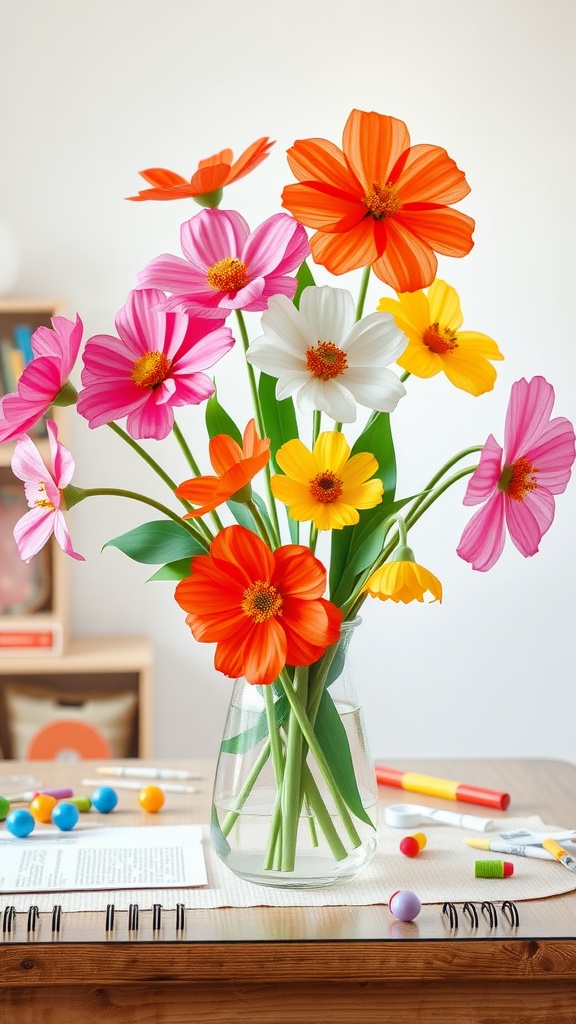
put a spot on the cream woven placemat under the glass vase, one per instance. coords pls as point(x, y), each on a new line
point(443, 872)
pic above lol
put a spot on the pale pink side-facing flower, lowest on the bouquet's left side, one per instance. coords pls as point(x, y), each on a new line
point(45, 495)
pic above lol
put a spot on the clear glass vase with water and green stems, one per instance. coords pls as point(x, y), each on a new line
point(296, 801)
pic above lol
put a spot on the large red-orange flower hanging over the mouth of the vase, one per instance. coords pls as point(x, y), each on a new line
point(264, 610)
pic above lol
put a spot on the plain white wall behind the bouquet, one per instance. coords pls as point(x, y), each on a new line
point(91, 94)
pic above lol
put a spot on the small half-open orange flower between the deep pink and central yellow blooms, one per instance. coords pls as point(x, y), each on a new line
point(235, 467)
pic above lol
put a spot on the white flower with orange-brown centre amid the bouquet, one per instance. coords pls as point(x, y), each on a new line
point(330, 360)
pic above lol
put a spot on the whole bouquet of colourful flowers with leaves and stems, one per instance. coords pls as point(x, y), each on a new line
point(241, 545)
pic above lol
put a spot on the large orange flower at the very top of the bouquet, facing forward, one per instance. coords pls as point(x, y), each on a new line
point(380, 202)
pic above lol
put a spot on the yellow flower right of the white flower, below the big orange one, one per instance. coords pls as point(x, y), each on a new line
point(432, 324)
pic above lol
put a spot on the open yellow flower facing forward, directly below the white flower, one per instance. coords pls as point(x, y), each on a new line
point(326, 486)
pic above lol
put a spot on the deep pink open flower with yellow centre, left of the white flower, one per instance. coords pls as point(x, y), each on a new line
point(155, 365)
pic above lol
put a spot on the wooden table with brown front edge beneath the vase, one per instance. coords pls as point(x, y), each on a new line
point(311, 966)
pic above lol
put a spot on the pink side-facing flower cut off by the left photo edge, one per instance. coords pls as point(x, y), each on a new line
point(56, 353)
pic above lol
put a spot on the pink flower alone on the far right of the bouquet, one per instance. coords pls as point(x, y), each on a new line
point(519, 485)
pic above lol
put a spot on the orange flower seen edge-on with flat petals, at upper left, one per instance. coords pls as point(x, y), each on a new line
point(211, 179)
